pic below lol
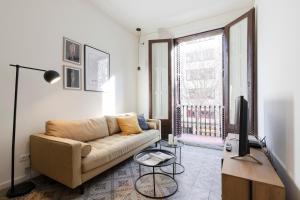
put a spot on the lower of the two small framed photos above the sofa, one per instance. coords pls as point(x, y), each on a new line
point(72, 78)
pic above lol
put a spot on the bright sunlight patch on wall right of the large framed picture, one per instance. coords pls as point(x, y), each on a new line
point(109, 96)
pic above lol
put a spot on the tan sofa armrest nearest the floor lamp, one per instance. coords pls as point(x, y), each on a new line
point(57, 158)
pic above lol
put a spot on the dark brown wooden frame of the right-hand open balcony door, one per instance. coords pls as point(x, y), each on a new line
point(251, 73)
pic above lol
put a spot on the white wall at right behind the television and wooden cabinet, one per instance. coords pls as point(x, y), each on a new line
point(278, 47)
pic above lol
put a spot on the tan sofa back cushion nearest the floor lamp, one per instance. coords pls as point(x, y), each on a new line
point(80, 130)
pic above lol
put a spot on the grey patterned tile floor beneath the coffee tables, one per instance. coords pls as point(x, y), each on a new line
point(200, 181)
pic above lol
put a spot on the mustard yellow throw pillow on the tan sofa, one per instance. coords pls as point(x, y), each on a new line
point(129, 125)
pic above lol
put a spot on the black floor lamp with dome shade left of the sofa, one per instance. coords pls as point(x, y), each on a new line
point(24, 188)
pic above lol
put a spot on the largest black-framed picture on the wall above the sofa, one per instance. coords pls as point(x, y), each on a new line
point(96, 69)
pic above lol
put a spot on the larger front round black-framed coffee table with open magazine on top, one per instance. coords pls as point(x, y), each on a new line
point(155, 185)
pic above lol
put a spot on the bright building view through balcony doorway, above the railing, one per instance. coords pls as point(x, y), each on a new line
point(200, 61)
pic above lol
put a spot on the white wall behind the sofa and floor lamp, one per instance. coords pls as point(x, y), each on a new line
point(31, 34)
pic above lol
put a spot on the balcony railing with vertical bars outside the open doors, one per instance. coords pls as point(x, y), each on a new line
point(205, 120)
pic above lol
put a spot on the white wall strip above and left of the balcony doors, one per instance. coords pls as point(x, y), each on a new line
point(175, 32)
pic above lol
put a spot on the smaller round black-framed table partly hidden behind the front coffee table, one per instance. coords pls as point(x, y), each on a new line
point(179, 168)
